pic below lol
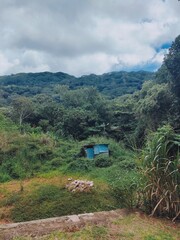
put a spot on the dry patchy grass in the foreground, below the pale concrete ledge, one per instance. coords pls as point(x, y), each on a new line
point(132, 227)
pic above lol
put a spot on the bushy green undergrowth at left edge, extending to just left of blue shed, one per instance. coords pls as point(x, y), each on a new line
point(24, 155)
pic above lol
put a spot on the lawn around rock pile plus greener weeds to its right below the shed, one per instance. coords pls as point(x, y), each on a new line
point(45, 195)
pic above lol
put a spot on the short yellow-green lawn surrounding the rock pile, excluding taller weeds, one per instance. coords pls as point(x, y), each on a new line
point(46, 196)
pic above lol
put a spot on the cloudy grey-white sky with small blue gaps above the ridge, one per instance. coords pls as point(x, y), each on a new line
point(81, 37)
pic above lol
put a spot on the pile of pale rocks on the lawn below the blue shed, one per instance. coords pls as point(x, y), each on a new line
point(80, 186)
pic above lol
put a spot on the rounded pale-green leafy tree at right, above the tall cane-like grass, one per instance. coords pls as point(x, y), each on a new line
point(154, 104)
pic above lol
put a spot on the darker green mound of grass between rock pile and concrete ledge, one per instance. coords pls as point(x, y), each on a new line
point(51, 201)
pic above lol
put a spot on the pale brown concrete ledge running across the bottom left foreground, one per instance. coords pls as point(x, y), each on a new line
point(67, 223)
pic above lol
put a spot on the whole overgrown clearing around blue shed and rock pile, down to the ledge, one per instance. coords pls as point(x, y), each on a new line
point(51, 162)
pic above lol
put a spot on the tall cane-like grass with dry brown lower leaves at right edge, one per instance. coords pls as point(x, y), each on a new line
point(161, 164)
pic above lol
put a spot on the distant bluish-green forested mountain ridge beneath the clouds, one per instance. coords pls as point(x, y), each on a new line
point(111, 84)
